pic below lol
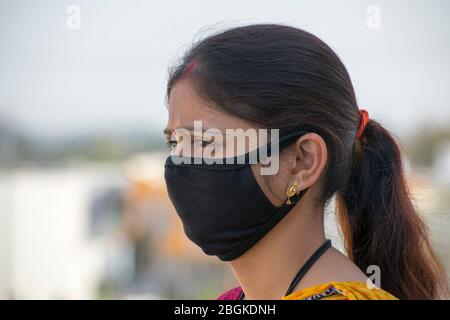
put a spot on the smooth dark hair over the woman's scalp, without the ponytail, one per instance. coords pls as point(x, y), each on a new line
point(274, 76)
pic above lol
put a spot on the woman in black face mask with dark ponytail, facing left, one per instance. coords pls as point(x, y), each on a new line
point(270, 227)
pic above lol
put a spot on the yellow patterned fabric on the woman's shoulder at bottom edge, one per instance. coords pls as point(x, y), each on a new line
point(349, 290)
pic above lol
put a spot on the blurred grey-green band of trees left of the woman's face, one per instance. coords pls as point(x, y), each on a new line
point(17, 148)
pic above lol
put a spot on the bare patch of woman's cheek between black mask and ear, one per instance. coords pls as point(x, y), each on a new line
point(273, 186)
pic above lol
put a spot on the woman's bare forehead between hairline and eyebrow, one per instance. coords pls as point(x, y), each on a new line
point(186, 106)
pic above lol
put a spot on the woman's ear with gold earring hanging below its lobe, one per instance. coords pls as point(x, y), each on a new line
point(310, 152)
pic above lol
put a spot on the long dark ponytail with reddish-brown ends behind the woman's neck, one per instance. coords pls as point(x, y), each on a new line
point(380, 223)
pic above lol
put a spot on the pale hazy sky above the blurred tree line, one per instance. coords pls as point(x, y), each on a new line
point(111, 74)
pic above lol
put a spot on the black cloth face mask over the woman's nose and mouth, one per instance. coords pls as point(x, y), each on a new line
point(222, 207)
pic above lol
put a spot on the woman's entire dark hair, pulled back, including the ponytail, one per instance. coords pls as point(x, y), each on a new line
point(278, 76)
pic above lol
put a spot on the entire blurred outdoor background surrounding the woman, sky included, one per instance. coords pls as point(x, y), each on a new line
point(83, 207)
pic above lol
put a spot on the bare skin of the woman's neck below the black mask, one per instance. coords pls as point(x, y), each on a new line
point(267, 269)
